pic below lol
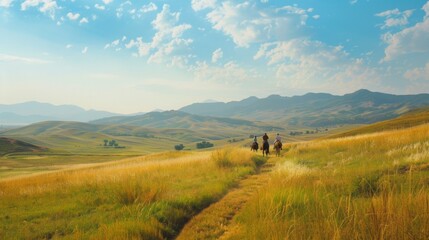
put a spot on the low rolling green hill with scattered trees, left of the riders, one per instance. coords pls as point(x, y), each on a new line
point(88, 138)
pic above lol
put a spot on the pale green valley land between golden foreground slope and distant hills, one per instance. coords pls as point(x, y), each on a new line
point(68, 144)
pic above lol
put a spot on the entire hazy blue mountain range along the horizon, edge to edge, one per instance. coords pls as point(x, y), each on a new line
point(311, 110)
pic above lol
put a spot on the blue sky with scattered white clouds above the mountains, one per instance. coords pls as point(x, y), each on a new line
point(137, 56)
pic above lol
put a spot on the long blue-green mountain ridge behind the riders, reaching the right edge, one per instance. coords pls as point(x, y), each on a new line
point(315, 109)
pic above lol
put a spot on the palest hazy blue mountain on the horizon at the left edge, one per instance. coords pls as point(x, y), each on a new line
point(31, 112)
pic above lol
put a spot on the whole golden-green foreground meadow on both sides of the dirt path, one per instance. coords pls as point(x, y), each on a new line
point(370, 184)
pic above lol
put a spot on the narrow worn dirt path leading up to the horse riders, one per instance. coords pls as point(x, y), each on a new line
point(214, 222)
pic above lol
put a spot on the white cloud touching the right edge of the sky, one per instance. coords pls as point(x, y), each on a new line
point(410, 40)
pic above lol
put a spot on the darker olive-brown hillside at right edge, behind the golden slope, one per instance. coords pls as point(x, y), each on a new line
point(410, 119)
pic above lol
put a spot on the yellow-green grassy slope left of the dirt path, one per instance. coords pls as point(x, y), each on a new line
point(148, 197)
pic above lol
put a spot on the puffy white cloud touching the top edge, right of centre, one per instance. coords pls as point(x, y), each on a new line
point(246, 24)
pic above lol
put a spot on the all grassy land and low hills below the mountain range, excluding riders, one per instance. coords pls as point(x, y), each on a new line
point(120, 177)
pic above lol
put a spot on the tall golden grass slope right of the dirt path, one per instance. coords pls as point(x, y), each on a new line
point(371, 186)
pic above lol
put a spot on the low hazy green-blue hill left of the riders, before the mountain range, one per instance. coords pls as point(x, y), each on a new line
point(177, 119)
